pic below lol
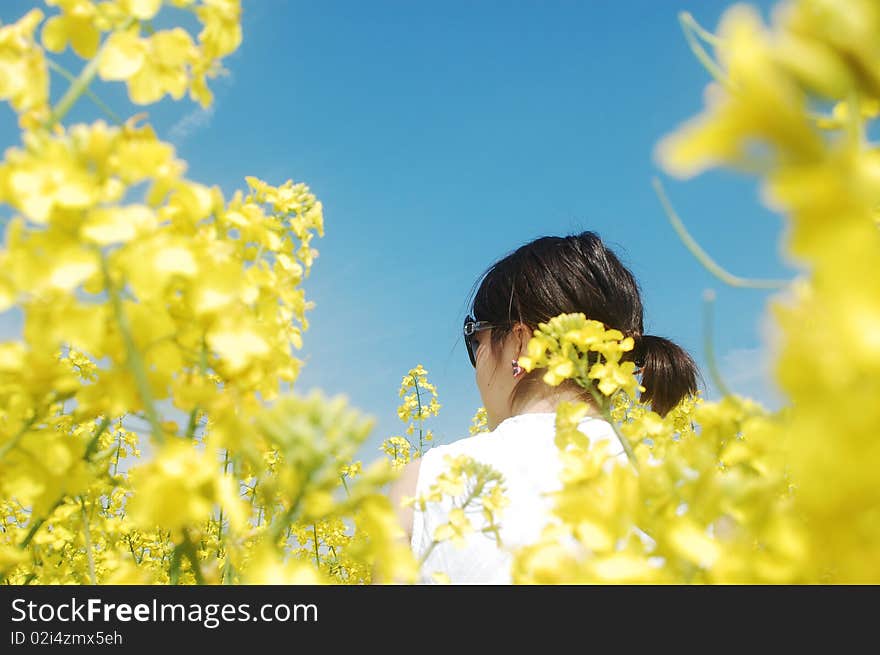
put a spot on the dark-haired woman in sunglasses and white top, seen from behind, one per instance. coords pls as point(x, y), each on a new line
point(544, 278)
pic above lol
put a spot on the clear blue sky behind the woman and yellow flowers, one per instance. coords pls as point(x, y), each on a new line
point(439, 137)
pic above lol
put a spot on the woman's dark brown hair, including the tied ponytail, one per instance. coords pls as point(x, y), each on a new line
point(578, 273)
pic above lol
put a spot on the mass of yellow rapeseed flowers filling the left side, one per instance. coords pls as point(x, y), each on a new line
point(155, 309)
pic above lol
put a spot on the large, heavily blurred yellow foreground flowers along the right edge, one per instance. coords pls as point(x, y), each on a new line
point(823, 176)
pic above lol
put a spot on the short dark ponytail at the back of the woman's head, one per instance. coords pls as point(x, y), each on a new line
point(668, 372)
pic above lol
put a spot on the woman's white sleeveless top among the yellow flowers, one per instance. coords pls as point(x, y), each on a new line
point(522, 448)
